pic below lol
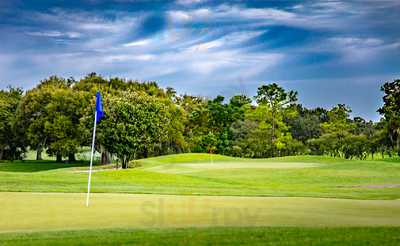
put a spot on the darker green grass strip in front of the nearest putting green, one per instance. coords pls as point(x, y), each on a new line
point(212, 236)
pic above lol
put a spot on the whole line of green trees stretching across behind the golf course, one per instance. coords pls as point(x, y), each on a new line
point(142, 120)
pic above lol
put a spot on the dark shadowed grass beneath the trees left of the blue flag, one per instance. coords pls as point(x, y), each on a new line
point(37, 166)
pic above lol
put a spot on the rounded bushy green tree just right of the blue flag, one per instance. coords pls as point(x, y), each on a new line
point(134, 125)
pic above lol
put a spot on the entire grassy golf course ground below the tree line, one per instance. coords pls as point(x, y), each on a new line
point(186, 197)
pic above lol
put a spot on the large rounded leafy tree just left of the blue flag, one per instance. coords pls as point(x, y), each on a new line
point(50, 115)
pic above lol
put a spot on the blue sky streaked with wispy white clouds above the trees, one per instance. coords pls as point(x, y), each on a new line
point(329, 51)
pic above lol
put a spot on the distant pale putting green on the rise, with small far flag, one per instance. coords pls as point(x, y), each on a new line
point(222, 165)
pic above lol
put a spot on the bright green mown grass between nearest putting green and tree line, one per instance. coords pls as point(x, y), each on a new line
point(330, 177)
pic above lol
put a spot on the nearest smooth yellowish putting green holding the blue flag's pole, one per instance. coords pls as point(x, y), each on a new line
point(64, 211)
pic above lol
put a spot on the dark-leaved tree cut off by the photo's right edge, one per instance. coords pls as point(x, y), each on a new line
point(391, 111)
